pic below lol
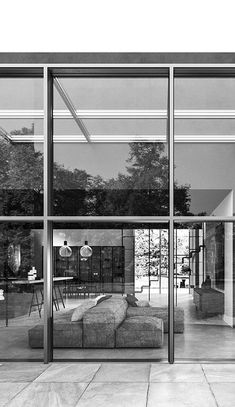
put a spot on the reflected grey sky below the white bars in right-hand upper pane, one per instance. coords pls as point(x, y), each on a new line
point(209, 169)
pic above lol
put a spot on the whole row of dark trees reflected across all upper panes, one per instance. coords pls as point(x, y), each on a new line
point(142, 190)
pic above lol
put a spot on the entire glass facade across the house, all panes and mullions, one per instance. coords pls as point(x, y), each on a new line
point(116, 213)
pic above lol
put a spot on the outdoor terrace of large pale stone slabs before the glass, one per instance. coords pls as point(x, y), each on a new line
point(117, 384)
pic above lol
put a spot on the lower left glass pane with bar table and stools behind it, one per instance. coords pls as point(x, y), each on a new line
point(21, 291)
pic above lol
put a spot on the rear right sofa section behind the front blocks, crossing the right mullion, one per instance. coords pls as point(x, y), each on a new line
point(162, 313)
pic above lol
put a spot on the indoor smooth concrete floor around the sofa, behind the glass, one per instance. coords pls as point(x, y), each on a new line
point(203, 339)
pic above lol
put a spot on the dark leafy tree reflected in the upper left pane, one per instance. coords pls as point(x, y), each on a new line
point(20, 176)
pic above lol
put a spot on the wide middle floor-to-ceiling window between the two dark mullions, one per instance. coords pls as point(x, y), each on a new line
point(110, 147)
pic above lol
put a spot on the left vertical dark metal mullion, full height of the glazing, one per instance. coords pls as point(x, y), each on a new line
point(48, 244)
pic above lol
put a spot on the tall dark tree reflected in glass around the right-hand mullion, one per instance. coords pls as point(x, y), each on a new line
point(144, 189)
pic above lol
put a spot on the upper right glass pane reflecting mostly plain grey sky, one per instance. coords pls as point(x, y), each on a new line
point(204, 146)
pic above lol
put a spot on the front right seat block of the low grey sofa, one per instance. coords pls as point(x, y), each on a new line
point(140, 332)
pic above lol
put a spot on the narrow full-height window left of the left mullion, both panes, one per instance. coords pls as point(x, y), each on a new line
point(21, 197)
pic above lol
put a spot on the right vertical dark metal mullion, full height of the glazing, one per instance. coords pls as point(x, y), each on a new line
point(171, 211)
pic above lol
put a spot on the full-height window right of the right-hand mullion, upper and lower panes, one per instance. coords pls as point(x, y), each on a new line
point(204, 250)
